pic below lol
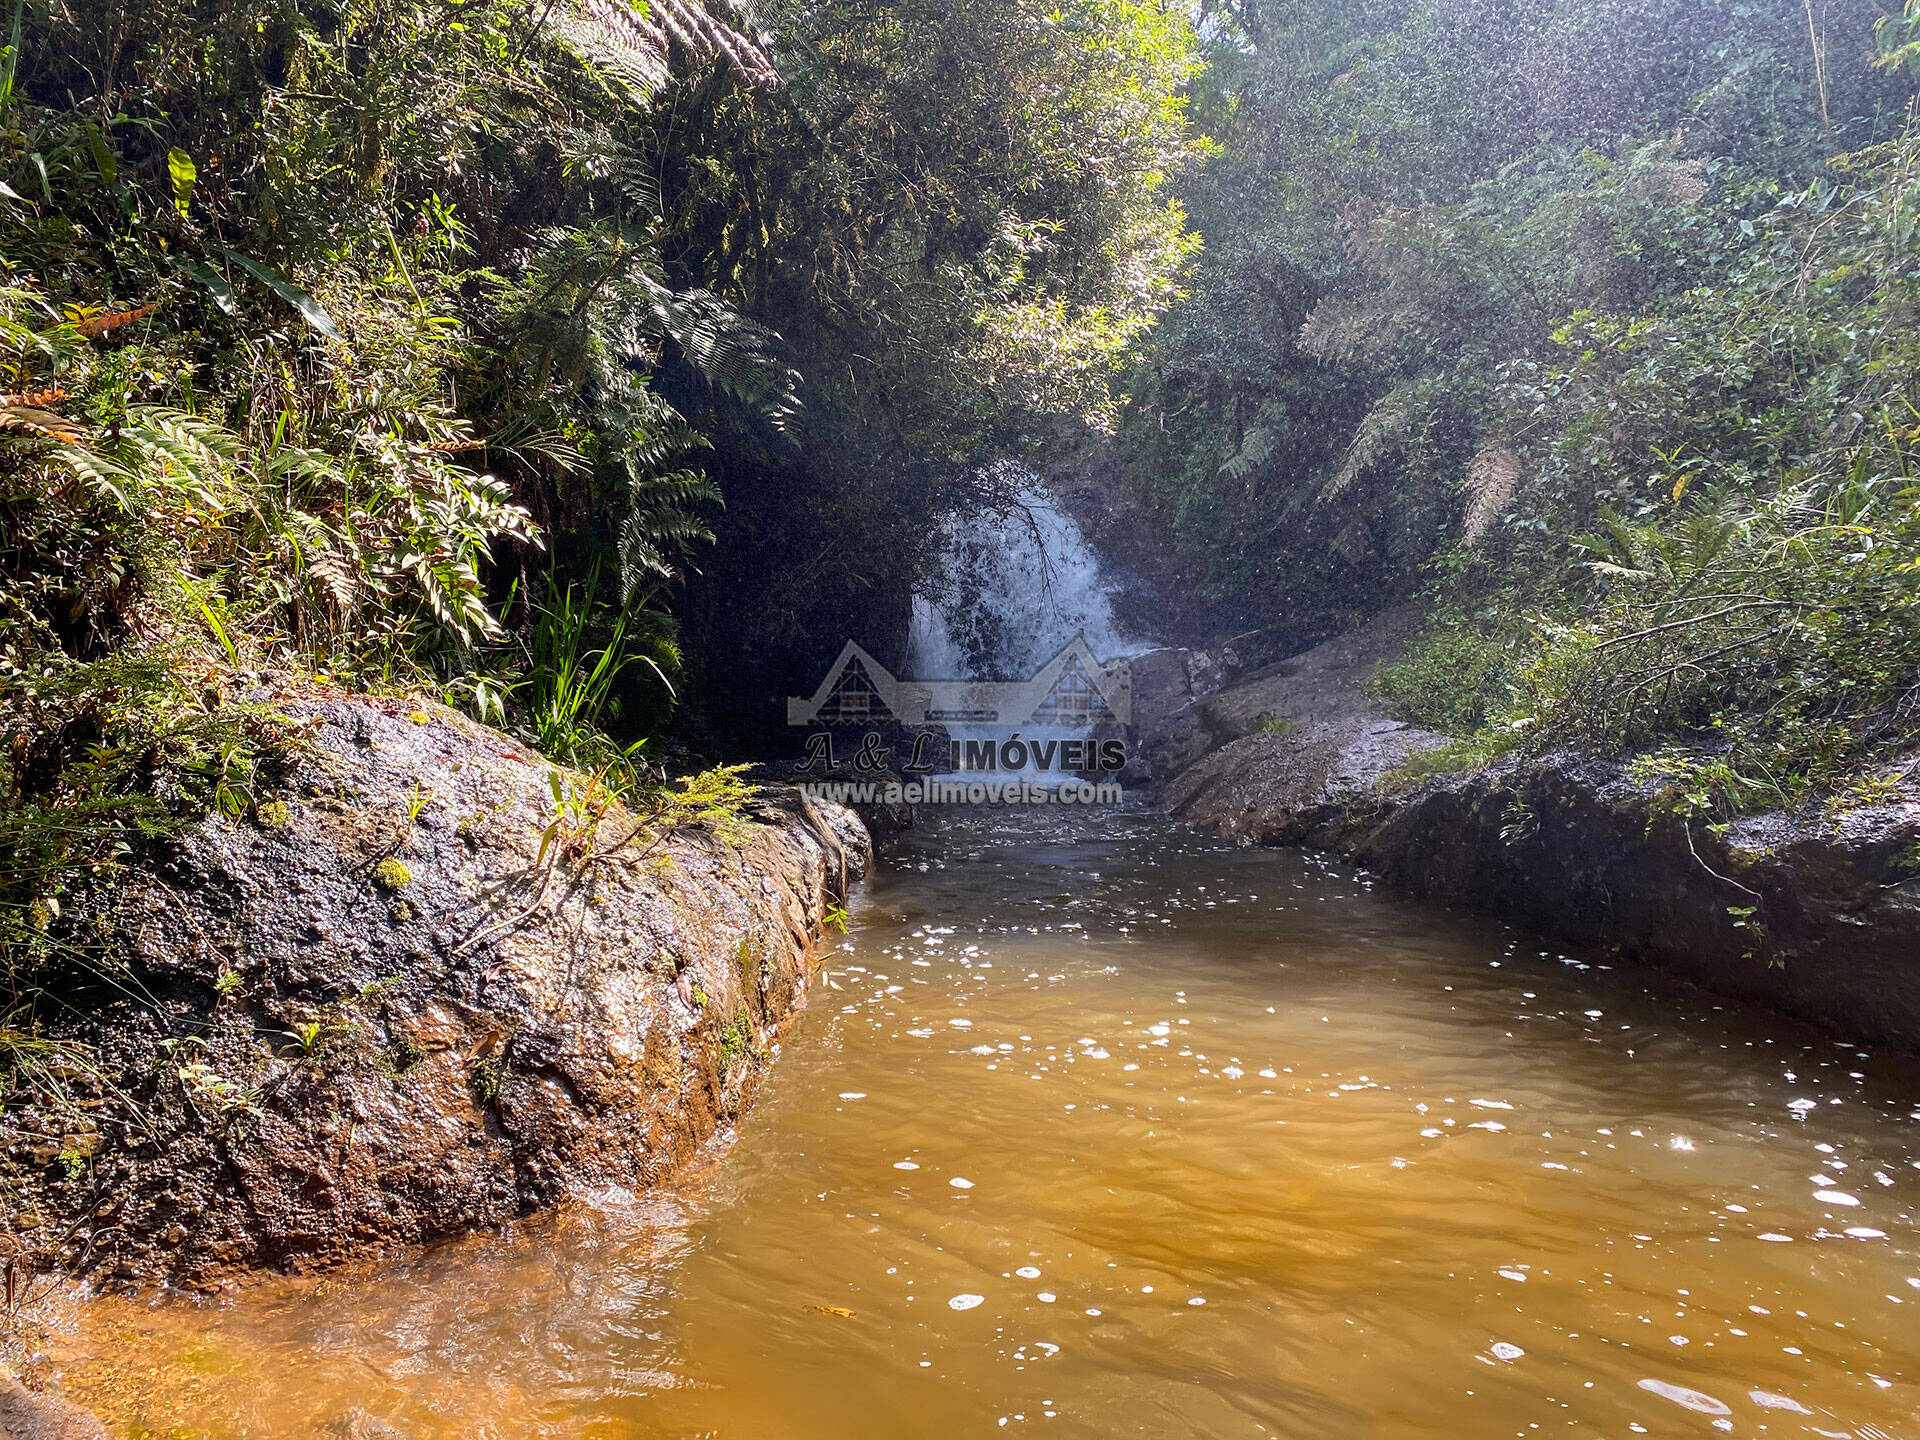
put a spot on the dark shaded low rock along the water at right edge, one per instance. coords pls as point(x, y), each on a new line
point(1813, 915)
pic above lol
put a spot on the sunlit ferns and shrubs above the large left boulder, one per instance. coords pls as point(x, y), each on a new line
point(285, 373)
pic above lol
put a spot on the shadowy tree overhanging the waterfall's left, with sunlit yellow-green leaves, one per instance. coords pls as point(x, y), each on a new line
point(959, 216)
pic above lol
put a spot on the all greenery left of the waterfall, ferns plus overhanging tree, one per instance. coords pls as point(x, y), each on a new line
point(416, 347)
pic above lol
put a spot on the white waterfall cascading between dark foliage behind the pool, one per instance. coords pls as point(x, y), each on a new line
point(1015, 592)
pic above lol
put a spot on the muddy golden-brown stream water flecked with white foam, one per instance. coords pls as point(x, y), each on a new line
point(1109, 1130)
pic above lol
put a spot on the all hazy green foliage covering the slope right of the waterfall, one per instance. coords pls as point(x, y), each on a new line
point(1596, 322)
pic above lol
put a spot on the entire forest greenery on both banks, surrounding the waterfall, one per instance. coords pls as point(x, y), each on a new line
point(600, 368)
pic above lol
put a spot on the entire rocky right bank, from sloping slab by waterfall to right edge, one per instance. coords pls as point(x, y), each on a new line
point(1812, 913)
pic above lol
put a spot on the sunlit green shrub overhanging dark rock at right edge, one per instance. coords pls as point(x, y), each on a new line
point(1781, 635)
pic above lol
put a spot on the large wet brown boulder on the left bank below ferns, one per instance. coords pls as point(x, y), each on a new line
point(429, 988)
